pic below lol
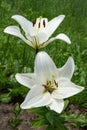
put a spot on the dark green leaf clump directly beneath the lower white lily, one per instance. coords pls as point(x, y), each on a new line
point(51, 119)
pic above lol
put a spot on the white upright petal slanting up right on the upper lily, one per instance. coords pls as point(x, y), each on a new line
point(53, 24)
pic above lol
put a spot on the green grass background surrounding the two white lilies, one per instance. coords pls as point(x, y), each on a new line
point(16, 56)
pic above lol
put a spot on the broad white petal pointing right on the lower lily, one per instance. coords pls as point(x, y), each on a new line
point(66, 89)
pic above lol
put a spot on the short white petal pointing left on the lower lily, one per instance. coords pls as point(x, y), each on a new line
point(28, 80)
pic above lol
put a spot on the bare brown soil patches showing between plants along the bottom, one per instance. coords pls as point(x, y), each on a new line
point(6, 114)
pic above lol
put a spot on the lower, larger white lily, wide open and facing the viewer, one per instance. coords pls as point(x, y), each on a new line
point(48, 85)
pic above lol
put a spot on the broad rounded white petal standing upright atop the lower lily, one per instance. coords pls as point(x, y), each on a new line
point(44, 67)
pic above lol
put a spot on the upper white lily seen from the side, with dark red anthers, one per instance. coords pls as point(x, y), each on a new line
point(37, 33)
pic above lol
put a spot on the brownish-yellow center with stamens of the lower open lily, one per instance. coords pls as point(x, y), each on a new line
point(50, 85)
